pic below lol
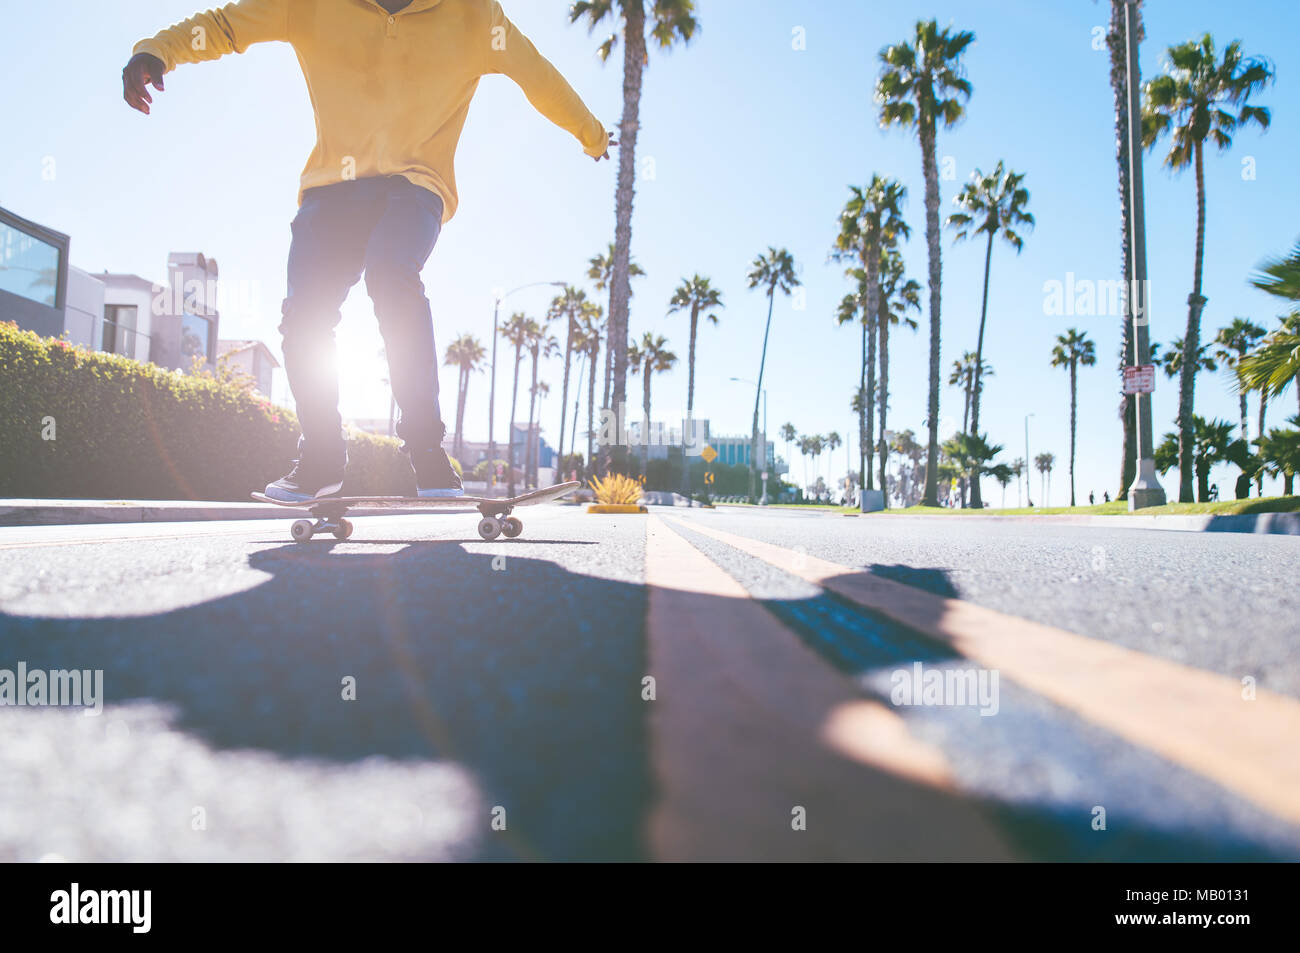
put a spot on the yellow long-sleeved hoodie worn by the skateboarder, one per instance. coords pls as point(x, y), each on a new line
point(391, 92)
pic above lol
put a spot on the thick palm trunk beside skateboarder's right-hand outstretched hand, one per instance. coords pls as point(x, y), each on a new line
point(621, 284)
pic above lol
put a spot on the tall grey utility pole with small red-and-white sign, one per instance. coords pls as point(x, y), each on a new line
point(1146, 490)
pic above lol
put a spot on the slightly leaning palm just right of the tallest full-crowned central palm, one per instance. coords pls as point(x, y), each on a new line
point(993, 206)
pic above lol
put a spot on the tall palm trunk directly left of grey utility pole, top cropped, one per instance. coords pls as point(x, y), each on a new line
point(1117, 42)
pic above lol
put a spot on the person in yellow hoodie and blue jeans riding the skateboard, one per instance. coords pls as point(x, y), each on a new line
point(392, 83)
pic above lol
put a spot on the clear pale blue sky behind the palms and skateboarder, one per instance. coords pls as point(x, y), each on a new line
point(753, 144)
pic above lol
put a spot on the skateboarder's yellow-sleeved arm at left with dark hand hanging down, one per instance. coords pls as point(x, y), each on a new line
point(203, 37)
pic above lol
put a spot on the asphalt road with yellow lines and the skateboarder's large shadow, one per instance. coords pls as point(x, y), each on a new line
point(634, 688)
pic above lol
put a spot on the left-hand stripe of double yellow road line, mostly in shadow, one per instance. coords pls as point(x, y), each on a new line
point(749, 727)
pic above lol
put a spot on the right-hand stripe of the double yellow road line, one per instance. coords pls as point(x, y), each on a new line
point(1194, 718)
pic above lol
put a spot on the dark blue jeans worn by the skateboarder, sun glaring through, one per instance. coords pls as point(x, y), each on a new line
point(385, 228)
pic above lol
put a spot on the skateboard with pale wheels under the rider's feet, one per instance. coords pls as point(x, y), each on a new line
point(330, 513)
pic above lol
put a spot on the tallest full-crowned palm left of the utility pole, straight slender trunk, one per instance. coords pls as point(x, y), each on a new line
point(922, 85)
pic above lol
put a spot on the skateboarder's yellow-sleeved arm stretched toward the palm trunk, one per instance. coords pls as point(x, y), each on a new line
point(514, 55)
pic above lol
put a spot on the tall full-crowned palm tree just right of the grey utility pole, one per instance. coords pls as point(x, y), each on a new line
point(1198, 101)
